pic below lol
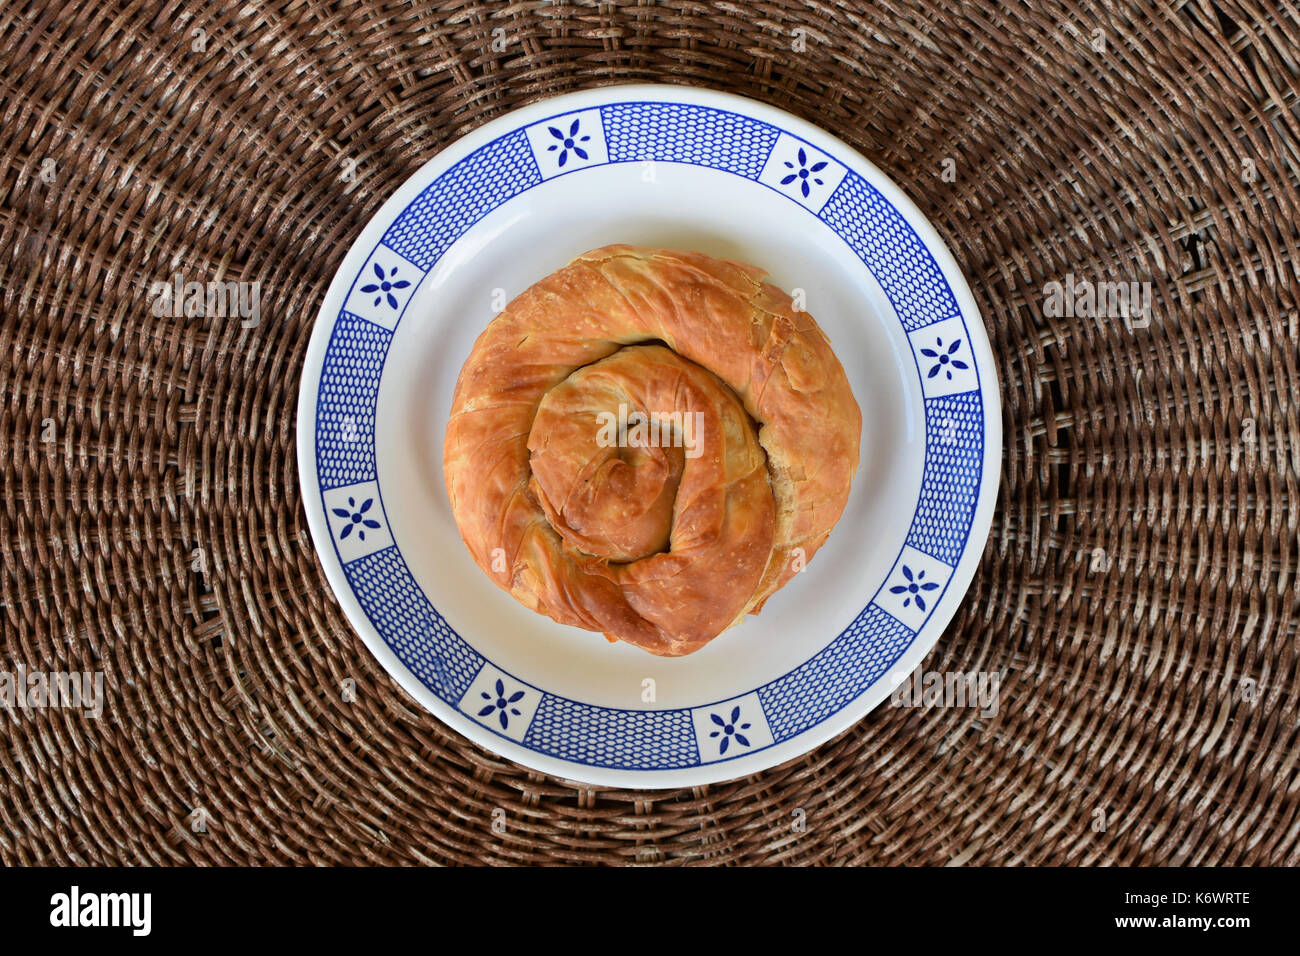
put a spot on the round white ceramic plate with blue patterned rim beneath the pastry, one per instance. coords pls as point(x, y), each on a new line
point(669, 167)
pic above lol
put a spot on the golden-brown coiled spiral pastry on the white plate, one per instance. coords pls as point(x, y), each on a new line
point(649, 444)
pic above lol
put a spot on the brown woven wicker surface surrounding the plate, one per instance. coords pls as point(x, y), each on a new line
point(1139, 589)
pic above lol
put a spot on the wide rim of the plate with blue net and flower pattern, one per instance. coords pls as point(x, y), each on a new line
point(714, 741)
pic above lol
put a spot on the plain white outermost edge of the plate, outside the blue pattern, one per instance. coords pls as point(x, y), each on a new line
point(704, 773)
